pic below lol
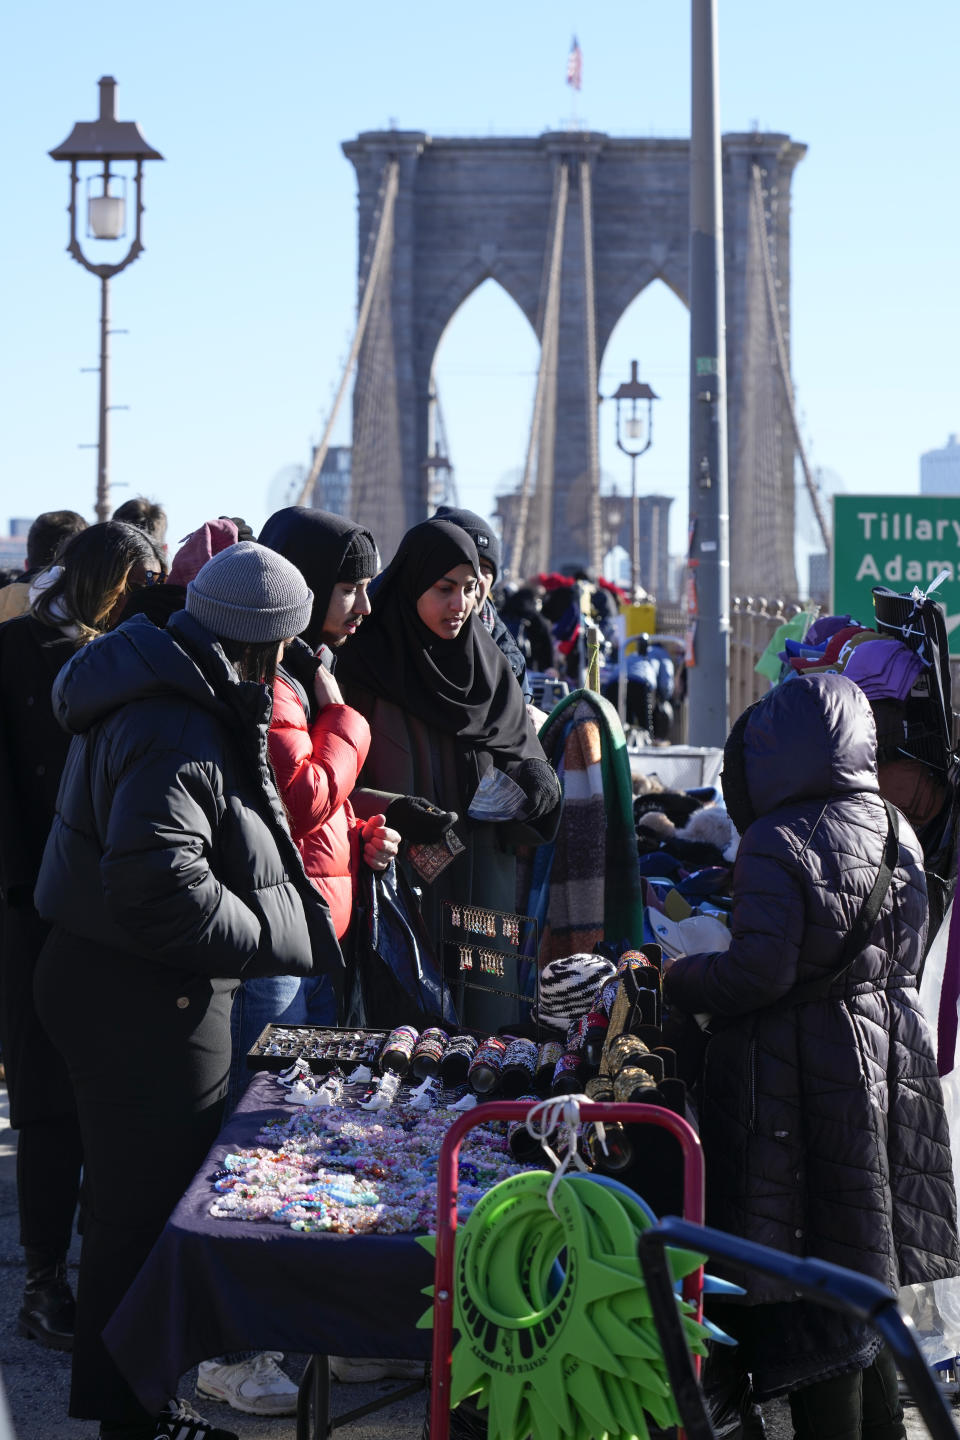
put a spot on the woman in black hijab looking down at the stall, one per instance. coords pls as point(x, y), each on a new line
point(448, 716)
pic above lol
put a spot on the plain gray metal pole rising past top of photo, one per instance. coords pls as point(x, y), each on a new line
point(709, 584)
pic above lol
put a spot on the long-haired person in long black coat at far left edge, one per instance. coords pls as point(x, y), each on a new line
point(73, 603)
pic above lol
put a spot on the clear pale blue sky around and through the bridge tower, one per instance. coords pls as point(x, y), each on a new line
point(241, 310)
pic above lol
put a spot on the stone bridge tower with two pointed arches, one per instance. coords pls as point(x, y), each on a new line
point(574, 227)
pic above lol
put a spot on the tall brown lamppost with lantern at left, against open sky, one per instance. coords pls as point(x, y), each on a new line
point(107, 142)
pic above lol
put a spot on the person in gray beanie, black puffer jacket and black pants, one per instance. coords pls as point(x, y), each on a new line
point(169, 876)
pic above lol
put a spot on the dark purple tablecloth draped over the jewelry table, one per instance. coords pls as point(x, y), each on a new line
point(211, 1287)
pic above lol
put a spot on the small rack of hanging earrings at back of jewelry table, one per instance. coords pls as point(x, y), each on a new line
point(492, 950)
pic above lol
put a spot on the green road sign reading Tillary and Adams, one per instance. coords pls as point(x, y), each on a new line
point(900, 542)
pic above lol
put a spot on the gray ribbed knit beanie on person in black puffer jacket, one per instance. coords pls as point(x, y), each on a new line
point(251, 594)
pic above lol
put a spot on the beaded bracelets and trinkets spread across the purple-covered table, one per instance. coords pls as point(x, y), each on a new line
point(361, 1153)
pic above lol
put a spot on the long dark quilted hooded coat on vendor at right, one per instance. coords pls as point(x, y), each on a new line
point(823, 1122)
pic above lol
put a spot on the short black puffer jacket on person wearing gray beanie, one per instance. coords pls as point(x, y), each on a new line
point(171, 840)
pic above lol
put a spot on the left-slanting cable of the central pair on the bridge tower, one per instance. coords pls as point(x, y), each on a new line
point(529, 557)
